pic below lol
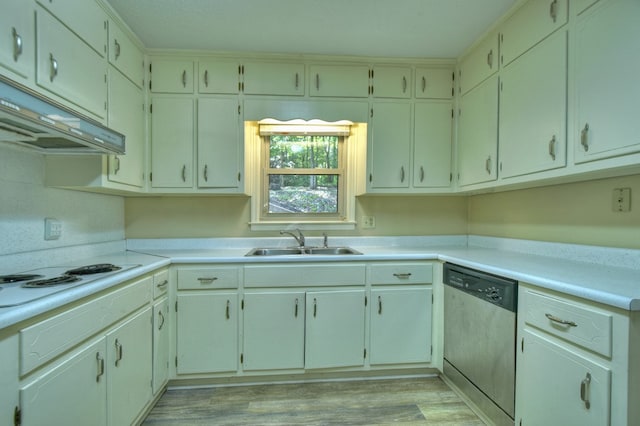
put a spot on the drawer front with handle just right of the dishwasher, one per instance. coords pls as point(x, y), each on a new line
point(580, 324)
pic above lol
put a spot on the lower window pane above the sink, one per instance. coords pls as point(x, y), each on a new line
point(303, 193)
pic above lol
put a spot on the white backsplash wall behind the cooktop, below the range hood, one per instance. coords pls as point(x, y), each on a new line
point(25, 202)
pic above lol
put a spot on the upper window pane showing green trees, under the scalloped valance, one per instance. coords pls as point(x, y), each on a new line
point(303, 152)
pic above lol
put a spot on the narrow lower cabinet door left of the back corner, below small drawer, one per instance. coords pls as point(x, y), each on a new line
point(160, 344)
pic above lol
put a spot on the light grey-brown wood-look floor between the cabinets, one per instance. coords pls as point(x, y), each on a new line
point(412, 401)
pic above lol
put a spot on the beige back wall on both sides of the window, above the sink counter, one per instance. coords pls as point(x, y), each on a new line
point(191, 217)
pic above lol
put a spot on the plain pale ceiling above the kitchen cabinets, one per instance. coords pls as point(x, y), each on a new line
point(382, 28)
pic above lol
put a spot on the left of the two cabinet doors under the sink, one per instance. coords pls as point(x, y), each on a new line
point(273, 330)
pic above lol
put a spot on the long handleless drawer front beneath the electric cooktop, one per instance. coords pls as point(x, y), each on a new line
point(47, 339)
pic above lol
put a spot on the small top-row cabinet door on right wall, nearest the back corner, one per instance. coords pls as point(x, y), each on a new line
point(479, 64)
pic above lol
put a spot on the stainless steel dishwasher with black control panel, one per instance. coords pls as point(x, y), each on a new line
point(479, 339)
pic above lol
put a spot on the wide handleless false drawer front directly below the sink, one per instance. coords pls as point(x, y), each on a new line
point(301, 275)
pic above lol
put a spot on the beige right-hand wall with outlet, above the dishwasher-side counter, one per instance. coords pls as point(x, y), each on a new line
point(579, 213)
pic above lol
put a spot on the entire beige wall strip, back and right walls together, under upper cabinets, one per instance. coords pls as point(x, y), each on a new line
point(578, 213)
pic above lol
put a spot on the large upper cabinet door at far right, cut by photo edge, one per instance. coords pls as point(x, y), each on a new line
point(606, 93)
